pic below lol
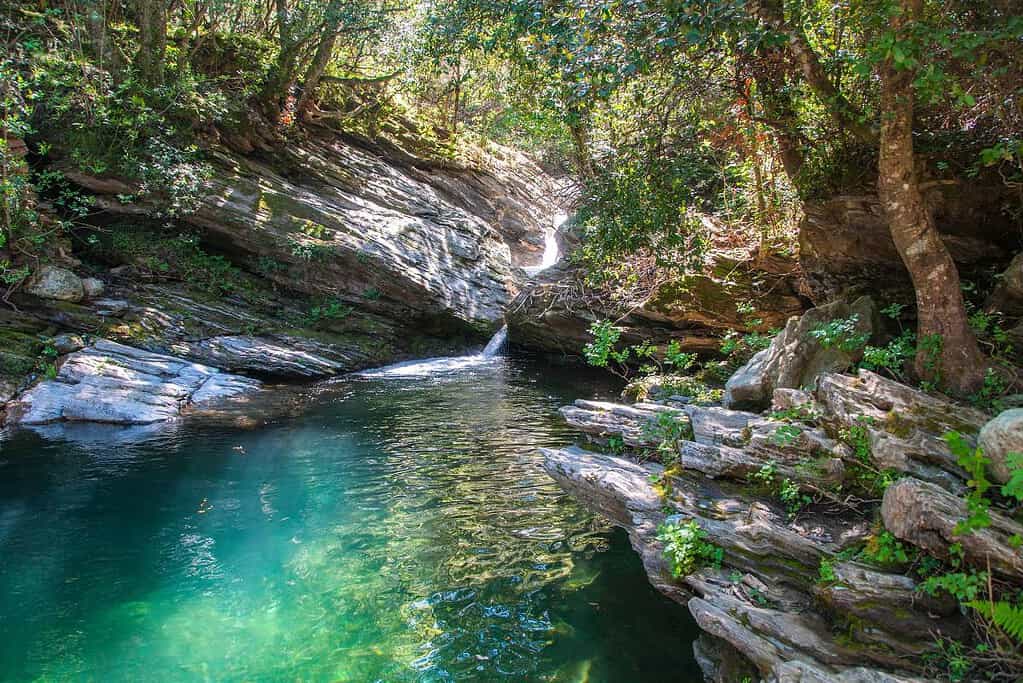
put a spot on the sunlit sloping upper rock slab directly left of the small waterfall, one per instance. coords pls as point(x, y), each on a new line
point(429, 247)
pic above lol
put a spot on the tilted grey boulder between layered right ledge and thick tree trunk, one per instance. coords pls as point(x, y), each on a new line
point(795, 358)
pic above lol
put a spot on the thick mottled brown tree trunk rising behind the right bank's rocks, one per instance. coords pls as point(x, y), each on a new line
point(948, 352)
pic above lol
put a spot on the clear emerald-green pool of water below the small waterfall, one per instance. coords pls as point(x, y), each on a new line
point(392, 530)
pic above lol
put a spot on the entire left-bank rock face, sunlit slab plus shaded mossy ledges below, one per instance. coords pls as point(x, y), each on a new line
point(309, 260)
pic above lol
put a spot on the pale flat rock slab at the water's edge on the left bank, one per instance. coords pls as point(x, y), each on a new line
point(120, 385)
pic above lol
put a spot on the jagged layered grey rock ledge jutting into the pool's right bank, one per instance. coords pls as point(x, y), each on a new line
point(768, 603)
